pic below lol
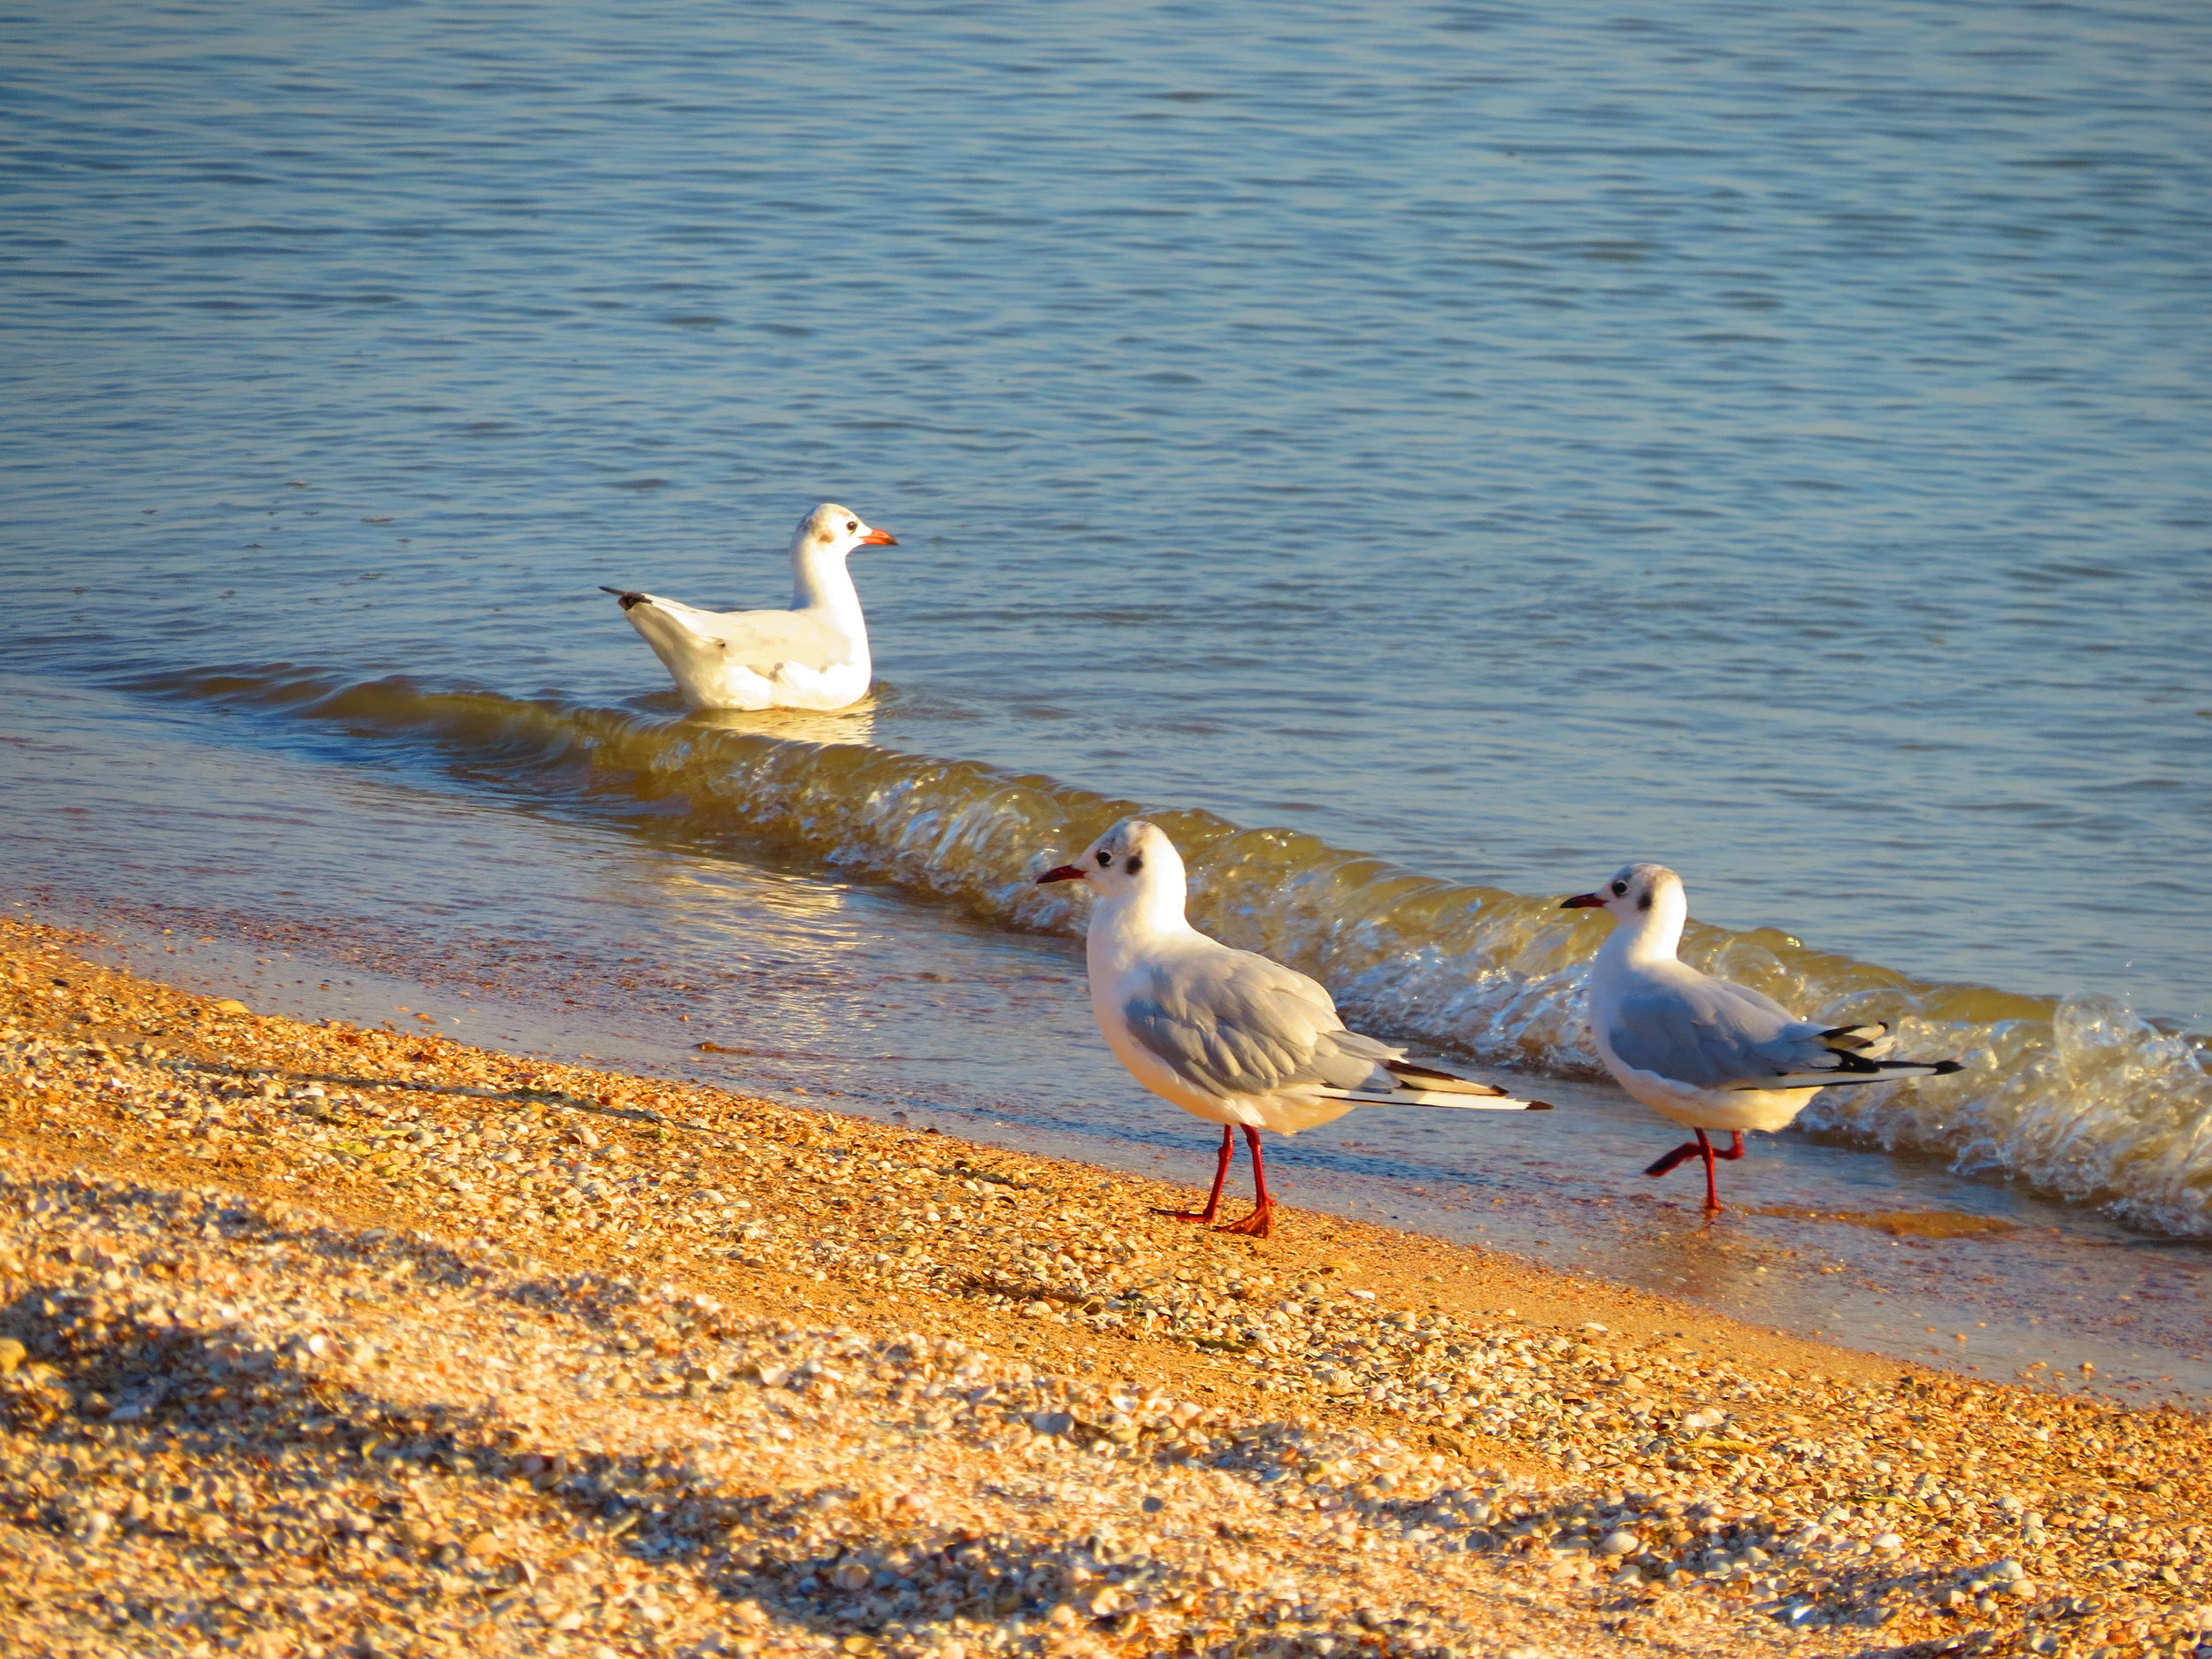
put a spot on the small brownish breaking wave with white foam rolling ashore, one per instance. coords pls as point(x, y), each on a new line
point(2078, 1098)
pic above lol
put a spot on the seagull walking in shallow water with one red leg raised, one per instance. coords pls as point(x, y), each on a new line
point(1702, 1052)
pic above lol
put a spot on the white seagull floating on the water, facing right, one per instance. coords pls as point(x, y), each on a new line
point(813, 656)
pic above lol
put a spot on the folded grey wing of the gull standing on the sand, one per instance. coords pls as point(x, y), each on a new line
point(1242, 1025)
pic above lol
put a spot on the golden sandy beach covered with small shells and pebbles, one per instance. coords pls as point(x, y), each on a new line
point(353, 1342)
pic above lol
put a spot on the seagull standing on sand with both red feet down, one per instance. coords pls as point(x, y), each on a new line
point(1231, 1036)
